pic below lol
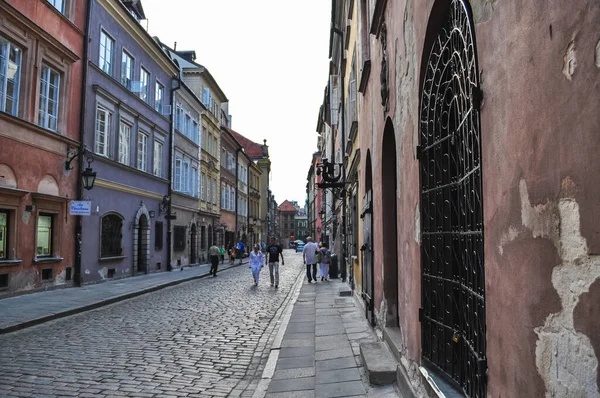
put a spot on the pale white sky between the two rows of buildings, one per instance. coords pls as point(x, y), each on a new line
point(270, 58)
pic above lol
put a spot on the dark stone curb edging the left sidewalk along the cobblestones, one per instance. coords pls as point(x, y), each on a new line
point(102, 303)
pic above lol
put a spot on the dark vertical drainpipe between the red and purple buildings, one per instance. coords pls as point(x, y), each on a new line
point(79, 220)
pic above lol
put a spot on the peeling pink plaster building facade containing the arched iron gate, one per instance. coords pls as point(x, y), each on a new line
point(476, 236)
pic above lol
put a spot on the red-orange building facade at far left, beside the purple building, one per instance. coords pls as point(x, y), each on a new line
point(41, 76)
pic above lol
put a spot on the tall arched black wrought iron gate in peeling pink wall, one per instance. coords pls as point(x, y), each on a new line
point(453, 283)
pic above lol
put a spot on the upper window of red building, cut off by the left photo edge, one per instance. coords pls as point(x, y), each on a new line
point(10, 76)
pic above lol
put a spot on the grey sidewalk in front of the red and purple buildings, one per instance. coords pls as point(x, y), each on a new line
point(26, 310)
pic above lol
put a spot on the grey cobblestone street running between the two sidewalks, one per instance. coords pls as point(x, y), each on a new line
point(208, 337)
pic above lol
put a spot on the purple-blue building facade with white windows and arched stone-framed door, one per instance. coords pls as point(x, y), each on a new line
point(128, 131)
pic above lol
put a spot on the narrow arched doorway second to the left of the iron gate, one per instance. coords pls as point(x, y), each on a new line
point(368, 276)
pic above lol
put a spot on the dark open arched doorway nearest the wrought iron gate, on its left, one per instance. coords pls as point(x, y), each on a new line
point(389, 233)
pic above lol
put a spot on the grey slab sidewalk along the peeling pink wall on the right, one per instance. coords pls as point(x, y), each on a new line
point(317, 354)
